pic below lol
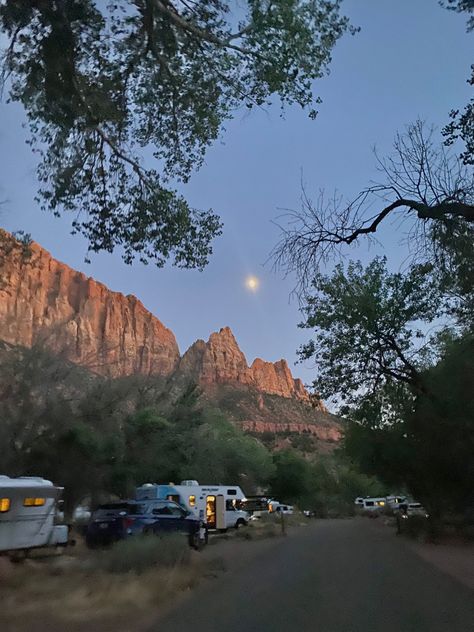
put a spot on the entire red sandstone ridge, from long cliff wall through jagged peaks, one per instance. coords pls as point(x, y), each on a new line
point(43, 300)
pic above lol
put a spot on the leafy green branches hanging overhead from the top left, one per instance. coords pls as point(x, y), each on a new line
point(104, 85)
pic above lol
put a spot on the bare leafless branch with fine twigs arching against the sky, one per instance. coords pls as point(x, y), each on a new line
point(425, 184)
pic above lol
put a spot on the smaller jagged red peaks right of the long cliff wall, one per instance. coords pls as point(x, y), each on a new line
point(220, 361)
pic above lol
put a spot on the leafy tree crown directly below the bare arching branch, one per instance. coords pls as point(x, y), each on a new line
point(366, 339)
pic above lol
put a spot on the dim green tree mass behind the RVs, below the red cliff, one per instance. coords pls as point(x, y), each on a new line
point(96, 436)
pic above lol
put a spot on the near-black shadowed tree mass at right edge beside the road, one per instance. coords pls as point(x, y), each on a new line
point(428, 449)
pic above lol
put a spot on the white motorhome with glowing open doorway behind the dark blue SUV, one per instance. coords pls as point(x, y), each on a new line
point(219, 506)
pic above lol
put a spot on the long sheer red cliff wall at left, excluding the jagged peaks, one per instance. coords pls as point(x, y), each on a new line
point(109, 333)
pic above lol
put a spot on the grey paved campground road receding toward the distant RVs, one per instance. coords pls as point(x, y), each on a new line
point(335, 576)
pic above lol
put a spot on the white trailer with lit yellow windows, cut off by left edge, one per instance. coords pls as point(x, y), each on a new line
point(28, 505)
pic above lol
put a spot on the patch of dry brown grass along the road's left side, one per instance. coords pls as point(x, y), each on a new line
point(96, 589)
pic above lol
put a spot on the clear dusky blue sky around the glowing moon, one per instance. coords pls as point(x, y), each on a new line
point(410, 59)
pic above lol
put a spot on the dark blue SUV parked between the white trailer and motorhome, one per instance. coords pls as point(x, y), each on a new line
point(111, 522)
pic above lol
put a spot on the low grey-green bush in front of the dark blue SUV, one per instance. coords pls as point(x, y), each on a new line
point(140, 553)
